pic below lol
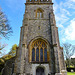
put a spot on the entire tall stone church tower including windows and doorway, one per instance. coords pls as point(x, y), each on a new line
point(39, 51)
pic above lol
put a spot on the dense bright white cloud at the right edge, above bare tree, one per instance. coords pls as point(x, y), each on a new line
point(68, 33)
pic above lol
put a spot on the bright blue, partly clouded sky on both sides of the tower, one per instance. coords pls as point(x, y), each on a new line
point(64, 13)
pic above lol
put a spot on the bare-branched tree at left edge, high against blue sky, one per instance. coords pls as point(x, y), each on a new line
point(5, 28)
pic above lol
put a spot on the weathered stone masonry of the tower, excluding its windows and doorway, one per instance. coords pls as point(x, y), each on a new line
point(44, 28)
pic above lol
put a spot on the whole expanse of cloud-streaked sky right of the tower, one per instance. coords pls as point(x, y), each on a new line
point(64, 11)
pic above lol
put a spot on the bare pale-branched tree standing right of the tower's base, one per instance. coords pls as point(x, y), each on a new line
point(69, 50)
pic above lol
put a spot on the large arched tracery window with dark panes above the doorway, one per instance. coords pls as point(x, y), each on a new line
point(39, 51)
